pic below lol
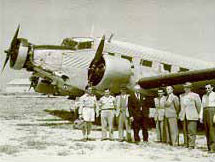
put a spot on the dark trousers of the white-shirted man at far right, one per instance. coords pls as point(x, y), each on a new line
point(208, 115)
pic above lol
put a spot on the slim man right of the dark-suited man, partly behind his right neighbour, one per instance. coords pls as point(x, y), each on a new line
point(159, 114)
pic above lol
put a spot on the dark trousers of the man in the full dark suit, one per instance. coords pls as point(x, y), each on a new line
point(140, 124)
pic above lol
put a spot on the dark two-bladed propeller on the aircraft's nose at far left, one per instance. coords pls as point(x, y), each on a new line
point(12, 48)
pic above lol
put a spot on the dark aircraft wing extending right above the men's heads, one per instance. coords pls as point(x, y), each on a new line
point(198, 77)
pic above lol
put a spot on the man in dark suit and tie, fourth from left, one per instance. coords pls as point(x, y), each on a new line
point(139, 113)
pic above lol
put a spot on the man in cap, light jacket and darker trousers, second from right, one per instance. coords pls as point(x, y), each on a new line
point(189, 114)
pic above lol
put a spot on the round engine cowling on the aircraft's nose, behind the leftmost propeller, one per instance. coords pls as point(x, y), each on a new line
point(19, 55)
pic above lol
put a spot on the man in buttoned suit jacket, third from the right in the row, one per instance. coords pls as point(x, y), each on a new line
point(170, 117)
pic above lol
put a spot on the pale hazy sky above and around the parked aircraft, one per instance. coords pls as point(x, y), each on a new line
point(184, 27)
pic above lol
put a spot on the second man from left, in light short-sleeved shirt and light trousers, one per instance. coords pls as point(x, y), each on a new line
point(107, 109)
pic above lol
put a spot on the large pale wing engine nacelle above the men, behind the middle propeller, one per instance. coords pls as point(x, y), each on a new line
point(111, 72)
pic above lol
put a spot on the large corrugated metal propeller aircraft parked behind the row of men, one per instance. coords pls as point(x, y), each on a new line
point(68, 68)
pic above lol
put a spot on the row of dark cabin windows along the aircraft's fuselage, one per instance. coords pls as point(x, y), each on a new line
point(147, 63)
